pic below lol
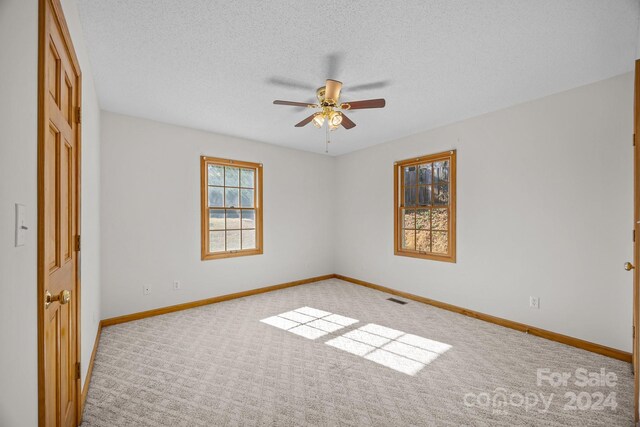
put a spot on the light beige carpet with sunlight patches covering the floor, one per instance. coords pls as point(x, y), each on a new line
point(337, 354)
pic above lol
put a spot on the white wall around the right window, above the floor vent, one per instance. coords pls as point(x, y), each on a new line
point(545, 209)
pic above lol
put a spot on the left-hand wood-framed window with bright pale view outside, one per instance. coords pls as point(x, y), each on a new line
point(231, 208)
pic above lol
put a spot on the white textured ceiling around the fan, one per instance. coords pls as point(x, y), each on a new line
point(218, 65)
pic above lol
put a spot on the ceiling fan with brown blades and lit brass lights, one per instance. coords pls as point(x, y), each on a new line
point(330, 109)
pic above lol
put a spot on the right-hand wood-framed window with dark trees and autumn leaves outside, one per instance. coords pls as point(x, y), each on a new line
point(425, 207)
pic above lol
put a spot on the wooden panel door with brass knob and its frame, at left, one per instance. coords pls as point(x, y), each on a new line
point(58, 221)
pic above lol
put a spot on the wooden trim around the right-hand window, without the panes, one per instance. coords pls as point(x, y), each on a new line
point(398, 187)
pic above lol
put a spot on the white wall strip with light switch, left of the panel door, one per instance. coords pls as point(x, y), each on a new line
point(18, 184)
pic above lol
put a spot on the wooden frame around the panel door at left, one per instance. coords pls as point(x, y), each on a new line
point(53, 8)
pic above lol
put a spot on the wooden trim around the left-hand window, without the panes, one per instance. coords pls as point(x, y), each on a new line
point(204, 210)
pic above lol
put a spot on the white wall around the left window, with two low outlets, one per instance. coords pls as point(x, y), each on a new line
point(151, 215)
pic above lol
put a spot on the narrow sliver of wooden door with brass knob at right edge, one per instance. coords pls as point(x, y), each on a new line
point(636, 239)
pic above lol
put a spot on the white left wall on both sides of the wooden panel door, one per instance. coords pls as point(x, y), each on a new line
point(18, 184)
